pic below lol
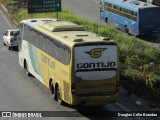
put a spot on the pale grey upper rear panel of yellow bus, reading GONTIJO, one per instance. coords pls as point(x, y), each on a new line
point(97, 62)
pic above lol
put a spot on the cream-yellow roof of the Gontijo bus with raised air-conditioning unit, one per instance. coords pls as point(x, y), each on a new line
point(66, 32)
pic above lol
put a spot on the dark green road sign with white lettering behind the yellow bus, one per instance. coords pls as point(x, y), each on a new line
point(43, 6)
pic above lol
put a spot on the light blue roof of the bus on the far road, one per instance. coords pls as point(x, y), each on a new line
point(131, 4)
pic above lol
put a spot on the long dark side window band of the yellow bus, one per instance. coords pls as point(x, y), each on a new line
point(47, 44)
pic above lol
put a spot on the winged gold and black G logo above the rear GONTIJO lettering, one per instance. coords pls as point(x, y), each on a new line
point(96, 52)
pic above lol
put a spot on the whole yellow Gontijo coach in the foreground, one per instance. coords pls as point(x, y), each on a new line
point(79, 67)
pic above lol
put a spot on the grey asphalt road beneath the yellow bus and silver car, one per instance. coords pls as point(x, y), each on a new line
point(18, 92)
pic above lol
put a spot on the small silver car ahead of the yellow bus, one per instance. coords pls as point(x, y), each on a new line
point(10, 38)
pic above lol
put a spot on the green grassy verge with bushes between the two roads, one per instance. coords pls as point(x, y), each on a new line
point(139, 60)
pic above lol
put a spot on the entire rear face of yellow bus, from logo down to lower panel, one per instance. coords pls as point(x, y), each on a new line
point(96, 69)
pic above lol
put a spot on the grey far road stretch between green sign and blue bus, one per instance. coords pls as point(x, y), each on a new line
point(88, 9)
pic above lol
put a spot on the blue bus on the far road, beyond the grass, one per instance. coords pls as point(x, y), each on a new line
point(133, 17)
